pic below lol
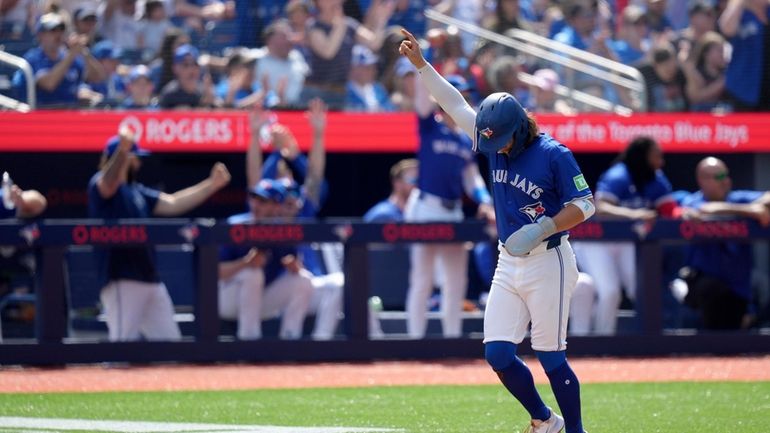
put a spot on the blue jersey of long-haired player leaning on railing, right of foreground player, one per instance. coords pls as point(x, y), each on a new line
point(615, 186)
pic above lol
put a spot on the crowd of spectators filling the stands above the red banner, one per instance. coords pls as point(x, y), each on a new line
point(695, 55)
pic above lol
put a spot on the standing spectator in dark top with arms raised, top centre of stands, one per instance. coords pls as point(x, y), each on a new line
point(331, 37)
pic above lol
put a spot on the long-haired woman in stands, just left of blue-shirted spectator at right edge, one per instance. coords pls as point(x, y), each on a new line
point(705, 72)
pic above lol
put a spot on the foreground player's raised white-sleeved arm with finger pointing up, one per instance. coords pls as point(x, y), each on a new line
point(447, 96)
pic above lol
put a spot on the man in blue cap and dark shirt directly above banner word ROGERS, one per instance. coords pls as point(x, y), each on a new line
point(186, 90)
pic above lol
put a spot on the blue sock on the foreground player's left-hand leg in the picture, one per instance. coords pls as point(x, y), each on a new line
point(516, 377)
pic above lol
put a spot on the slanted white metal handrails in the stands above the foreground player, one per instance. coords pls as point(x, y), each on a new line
point(571, 58)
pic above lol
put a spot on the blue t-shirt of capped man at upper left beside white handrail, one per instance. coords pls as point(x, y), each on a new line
point(66, 93)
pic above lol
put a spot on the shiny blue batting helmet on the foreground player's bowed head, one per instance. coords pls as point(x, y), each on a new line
point(500, 118)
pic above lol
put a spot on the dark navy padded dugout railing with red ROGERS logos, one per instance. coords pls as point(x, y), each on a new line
point(52, 237)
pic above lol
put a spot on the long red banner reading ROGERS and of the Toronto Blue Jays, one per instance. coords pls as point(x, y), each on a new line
point(220, 131)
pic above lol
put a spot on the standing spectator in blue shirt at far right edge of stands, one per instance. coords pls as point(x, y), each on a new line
point(745, 25)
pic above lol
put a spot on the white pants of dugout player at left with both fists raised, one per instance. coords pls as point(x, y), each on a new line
point(136, 308)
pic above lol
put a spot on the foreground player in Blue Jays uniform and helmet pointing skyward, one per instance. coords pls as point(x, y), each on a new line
point(539, 193)
